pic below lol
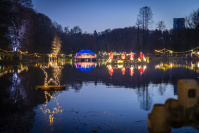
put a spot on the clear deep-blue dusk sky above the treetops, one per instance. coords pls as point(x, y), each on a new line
point(100, 15)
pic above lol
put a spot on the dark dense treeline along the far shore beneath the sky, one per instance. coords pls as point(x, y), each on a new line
point(22, 27)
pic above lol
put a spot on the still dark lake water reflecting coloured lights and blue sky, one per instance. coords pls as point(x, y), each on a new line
point(98, 97)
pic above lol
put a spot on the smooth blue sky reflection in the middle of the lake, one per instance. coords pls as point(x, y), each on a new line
point(104, 109)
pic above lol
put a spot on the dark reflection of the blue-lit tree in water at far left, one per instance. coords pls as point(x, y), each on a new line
point(17, 99)
